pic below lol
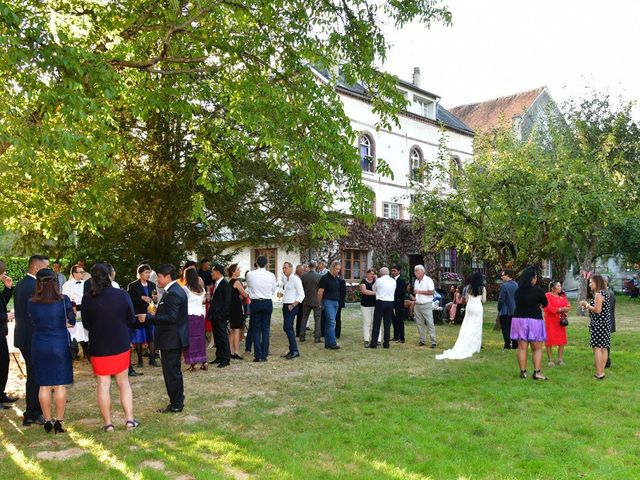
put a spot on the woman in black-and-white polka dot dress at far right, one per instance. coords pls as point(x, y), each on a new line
point(600, 327)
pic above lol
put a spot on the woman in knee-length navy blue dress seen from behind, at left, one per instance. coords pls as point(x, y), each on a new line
point(52, 314)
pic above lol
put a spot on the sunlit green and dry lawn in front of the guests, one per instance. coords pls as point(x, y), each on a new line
point(362, 414)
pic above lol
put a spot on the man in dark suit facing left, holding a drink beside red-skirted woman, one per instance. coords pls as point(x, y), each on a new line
point(171, 334)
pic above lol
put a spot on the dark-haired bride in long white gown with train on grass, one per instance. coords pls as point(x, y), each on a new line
point(470, 336)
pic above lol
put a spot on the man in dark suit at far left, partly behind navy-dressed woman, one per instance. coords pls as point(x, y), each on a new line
point(22, 337)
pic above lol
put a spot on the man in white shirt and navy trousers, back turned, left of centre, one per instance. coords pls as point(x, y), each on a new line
point(261, 285)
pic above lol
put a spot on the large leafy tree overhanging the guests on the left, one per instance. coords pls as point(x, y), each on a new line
point(192, 120)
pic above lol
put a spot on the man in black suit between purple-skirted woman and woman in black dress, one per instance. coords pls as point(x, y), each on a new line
point(219, 315)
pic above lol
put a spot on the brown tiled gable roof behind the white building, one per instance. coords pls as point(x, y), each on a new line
point(485, 116)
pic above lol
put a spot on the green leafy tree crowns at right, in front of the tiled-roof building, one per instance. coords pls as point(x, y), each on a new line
point(557, 196)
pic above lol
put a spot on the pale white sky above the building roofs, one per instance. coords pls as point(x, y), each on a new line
point(499, 47)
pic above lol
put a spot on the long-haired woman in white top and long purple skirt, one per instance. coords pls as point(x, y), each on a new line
point(196, 352)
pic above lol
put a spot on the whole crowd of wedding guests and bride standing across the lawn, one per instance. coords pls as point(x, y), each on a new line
point(173, 314)
